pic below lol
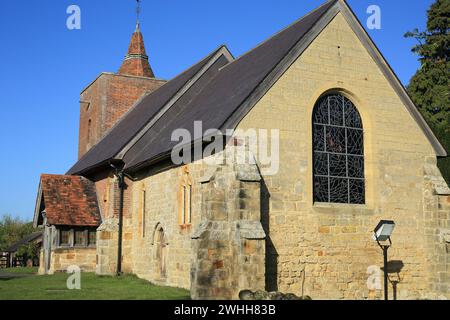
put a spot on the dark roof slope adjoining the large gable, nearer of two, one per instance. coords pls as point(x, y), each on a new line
point(224, 94)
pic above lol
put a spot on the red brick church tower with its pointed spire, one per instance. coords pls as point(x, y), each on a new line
point(110, 95)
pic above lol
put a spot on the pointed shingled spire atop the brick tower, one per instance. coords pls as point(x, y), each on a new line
point(136, 61)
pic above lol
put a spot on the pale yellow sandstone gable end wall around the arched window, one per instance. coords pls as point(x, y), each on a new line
point(324, 250)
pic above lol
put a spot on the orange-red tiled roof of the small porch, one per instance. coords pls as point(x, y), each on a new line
point(69, 200)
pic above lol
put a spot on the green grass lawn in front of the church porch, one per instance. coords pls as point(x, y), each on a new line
point(28, 286)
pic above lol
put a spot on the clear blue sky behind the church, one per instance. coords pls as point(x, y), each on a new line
point(44, 66)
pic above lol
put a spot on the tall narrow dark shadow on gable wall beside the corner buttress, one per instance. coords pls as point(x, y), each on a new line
point(271, 252)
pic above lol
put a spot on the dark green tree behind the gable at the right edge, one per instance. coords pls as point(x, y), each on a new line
point(430, 86)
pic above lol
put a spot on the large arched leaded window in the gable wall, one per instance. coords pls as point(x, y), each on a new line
point(338, 146)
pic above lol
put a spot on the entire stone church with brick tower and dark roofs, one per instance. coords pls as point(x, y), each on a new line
point(352, 150)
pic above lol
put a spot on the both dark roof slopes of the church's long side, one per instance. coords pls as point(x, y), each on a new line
point(219, 96)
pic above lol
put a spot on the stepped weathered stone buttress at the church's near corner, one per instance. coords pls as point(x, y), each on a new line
point(228, 245)
